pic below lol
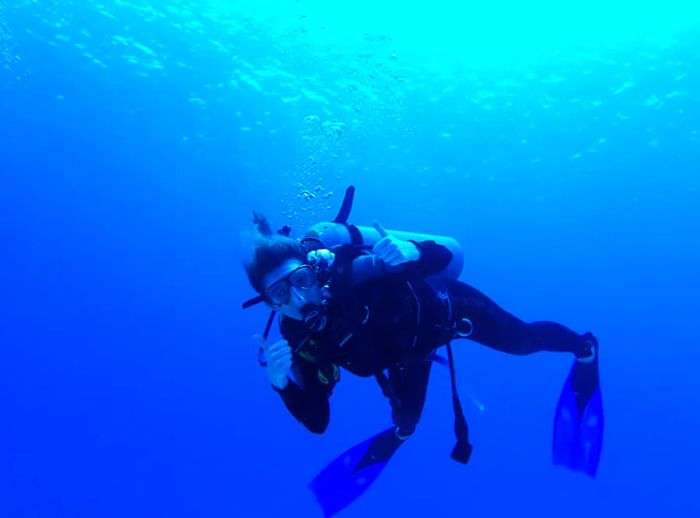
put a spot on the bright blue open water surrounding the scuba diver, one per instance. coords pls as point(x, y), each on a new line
point(135, 140)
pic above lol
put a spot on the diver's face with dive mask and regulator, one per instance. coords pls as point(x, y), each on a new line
point(292, 288)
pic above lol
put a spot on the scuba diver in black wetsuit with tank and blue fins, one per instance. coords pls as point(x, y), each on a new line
point(380, 304)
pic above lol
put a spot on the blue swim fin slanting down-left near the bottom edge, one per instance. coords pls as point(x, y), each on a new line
point(351, 474)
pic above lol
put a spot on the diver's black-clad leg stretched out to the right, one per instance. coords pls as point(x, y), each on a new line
point(490, 325)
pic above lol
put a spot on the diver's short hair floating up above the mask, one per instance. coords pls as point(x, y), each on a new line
point(270, 250)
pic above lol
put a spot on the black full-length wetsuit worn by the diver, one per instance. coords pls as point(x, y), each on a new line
point(392, 323)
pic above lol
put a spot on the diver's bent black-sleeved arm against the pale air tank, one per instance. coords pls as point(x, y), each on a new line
point(432, 259)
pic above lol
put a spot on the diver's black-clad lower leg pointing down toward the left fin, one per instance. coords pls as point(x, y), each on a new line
point(410, 386)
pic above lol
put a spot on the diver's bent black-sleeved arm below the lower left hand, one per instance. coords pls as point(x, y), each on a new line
point(306, 395)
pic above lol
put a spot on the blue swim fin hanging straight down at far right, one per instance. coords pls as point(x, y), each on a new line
point(579, 421)
